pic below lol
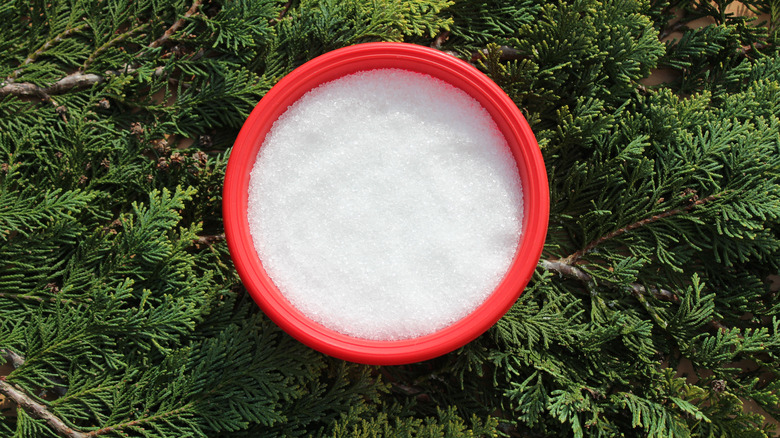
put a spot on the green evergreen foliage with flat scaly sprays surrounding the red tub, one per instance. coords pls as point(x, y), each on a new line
point(120, 312)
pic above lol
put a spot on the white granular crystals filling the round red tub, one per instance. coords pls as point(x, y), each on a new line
point(385, 205)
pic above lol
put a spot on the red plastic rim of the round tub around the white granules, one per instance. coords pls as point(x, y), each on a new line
point(343, 62)
